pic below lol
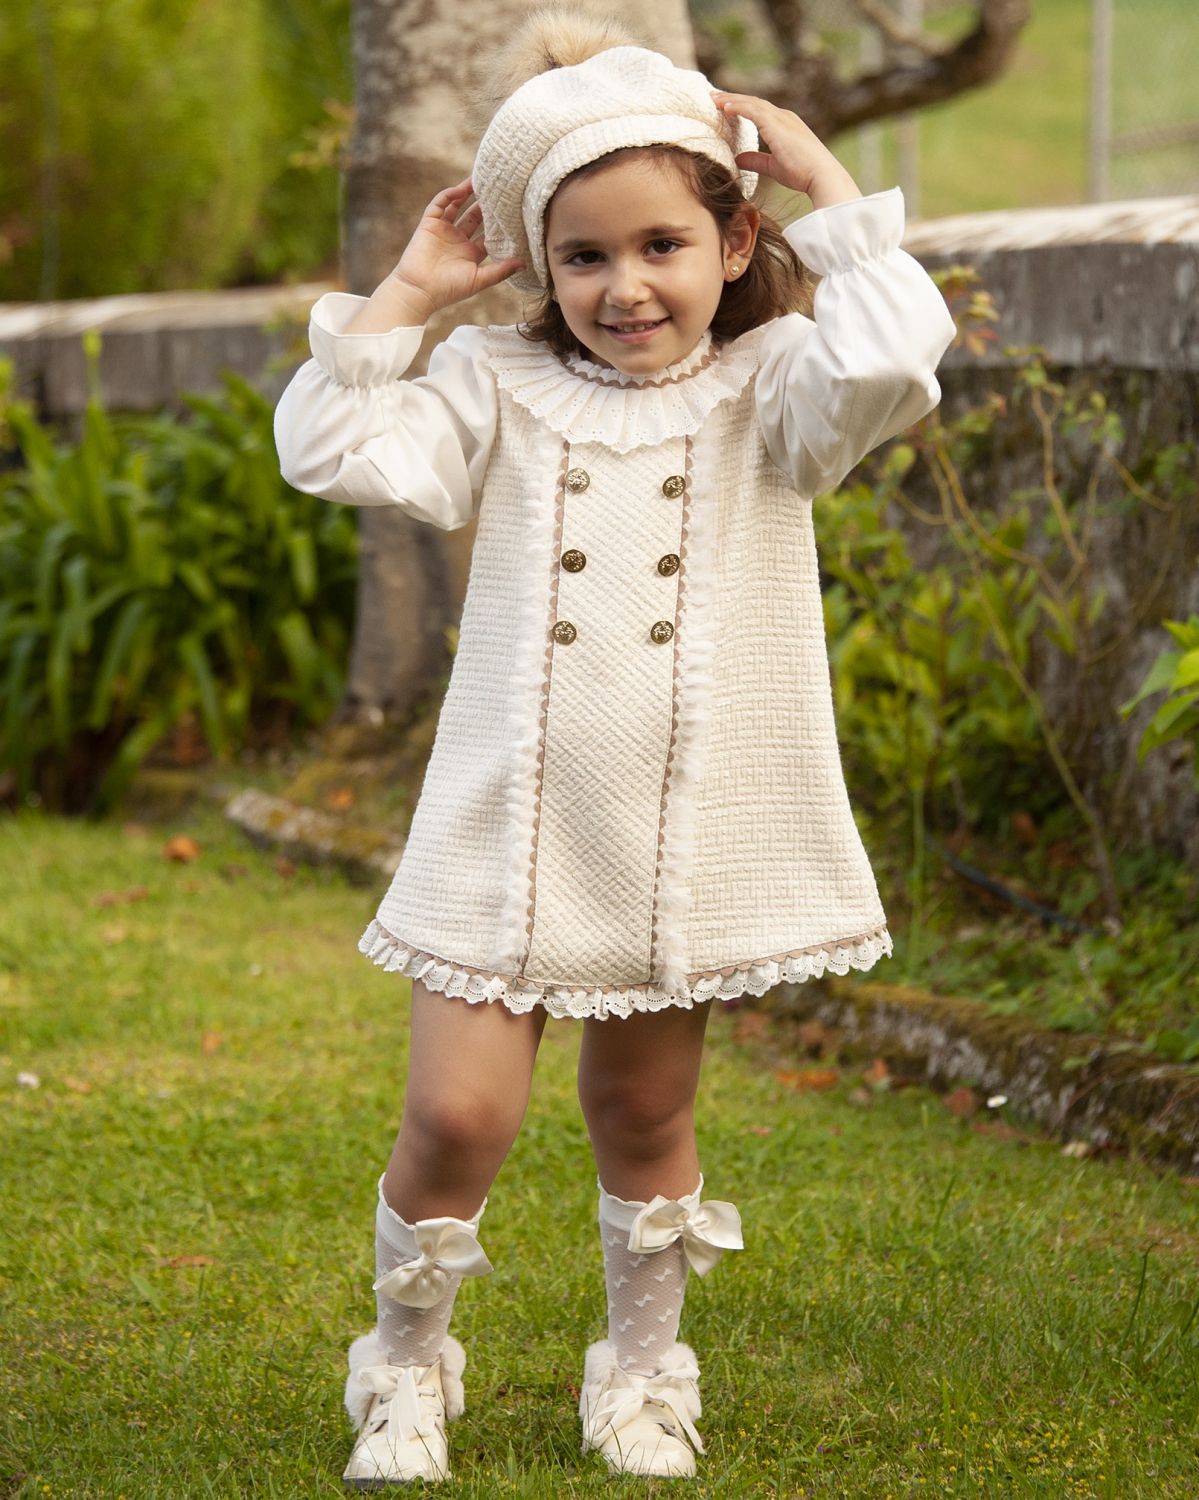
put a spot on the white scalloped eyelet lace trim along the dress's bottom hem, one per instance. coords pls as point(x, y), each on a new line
point(521, 997)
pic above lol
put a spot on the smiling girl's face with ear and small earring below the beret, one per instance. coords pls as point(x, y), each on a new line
point(637, 263)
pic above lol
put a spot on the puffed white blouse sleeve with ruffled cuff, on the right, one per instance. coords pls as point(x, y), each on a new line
point(831, 391)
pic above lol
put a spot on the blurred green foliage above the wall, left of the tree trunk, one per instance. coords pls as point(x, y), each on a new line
point(155, 148)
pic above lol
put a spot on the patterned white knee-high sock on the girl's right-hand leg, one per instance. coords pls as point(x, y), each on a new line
point(645, 1289)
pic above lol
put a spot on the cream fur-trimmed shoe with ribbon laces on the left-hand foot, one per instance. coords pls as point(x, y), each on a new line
point(400, 1414)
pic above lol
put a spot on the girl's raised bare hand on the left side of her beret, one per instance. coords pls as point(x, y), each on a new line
point(443, 262)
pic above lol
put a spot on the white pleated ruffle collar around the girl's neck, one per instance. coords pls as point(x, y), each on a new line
point(589, 403)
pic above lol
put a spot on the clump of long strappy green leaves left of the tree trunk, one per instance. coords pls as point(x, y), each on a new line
point(152, 571)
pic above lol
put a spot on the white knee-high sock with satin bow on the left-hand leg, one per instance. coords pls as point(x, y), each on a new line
point(419, 1270)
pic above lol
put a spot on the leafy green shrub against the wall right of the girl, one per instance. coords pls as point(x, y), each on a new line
point(936, 665)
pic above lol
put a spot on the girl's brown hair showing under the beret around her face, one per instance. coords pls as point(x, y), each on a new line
point(775, 280)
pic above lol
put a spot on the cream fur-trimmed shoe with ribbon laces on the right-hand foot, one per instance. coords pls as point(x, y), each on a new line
point(642, 1424)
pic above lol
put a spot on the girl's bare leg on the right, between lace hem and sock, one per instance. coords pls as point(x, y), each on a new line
point(639, 1079)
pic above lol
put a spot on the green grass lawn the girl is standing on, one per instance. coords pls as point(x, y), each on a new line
point(925, 1307)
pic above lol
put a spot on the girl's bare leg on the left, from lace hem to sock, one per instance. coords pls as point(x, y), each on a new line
point(470, 1069)
